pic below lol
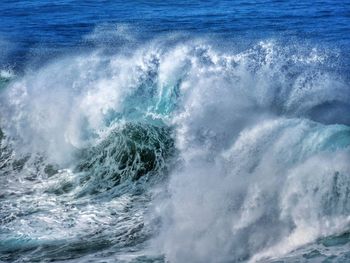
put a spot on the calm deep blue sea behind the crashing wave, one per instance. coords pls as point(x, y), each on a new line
point(44, 28)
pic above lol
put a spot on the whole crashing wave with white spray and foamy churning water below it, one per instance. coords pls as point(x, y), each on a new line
point(177, 151)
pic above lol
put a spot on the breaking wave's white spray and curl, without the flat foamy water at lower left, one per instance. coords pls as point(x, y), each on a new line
point(251, 129)
